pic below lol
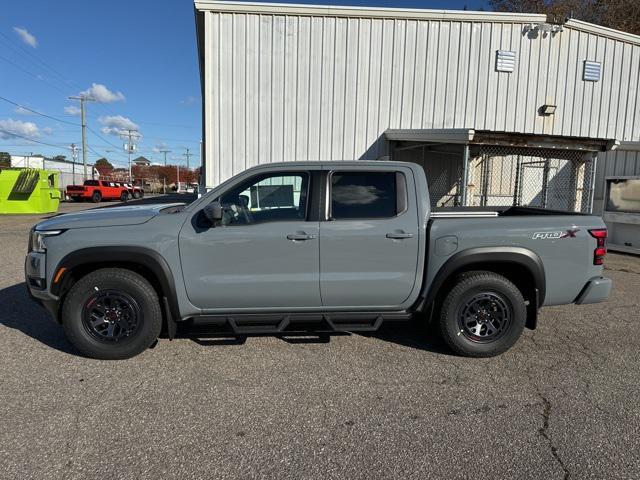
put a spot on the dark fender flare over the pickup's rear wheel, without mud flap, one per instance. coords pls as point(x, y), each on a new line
point(500, 255)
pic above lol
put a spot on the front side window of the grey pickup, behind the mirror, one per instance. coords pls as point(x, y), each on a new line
point(267, 198)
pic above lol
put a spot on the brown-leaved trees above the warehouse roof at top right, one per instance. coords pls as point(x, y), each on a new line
point(619, 14)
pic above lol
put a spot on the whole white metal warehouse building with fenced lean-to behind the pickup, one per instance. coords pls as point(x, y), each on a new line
point(500, 109)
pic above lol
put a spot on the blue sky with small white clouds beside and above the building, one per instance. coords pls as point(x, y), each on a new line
point(139, 57)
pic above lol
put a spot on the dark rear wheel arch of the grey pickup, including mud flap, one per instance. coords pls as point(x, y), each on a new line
point(521, 266)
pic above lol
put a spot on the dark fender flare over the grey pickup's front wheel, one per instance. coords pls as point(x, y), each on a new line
point(145, 257)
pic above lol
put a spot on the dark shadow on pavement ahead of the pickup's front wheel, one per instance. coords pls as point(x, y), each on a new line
point(23, 314)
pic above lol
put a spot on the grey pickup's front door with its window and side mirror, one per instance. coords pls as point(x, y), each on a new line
point(263, 253)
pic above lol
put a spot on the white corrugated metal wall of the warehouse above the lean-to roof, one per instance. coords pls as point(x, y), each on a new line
point(296, 87)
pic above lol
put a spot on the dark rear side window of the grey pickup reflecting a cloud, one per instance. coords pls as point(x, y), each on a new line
point(367, 194)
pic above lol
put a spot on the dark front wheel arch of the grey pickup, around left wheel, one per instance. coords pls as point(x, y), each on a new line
point(148, 263)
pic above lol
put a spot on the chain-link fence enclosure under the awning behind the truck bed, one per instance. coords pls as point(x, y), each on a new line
point(502, 176)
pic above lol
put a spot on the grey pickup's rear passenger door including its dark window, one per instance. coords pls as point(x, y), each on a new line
point(369, 242)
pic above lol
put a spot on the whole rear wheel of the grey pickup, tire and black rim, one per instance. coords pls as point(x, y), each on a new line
point(483, 315)
